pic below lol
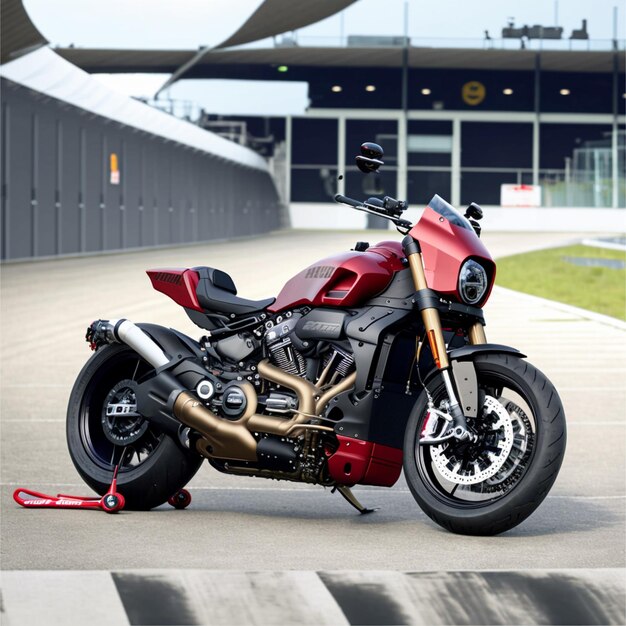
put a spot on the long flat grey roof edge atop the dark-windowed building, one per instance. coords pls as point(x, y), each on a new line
point(94, 60)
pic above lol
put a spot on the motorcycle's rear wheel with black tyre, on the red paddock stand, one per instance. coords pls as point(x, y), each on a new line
point(104, 429)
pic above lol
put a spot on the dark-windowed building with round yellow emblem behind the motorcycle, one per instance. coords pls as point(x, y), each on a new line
point(457, 121)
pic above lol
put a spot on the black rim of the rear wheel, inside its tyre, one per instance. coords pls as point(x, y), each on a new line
point(136, 440)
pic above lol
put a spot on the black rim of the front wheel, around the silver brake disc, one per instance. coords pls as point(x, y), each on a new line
point(515, 402)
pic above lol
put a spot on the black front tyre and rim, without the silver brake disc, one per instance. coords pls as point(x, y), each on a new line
point(495, 505)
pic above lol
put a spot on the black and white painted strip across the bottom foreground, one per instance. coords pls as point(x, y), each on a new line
point(225, 598)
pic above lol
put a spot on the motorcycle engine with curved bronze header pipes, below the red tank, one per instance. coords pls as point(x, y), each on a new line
point(245, 382)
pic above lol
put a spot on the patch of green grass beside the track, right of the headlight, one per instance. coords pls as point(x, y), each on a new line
point(547, 274)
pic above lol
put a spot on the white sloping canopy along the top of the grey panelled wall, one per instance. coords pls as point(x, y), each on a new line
point(46, 72)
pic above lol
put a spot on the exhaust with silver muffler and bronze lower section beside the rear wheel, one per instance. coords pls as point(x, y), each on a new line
point(164, 394)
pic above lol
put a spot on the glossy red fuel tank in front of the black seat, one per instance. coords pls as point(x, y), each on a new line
point(343, 280)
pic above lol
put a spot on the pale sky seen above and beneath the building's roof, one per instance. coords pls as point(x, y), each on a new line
point(189, 24)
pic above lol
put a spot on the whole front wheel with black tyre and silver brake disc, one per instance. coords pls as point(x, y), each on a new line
point(492, 484)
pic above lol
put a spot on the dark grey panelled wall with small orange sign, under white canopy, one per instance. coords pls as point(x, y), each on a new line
point(60, 196)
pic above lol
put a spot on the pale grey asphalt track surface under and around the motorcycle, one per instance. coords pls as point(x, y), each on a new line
point(241, 525)
